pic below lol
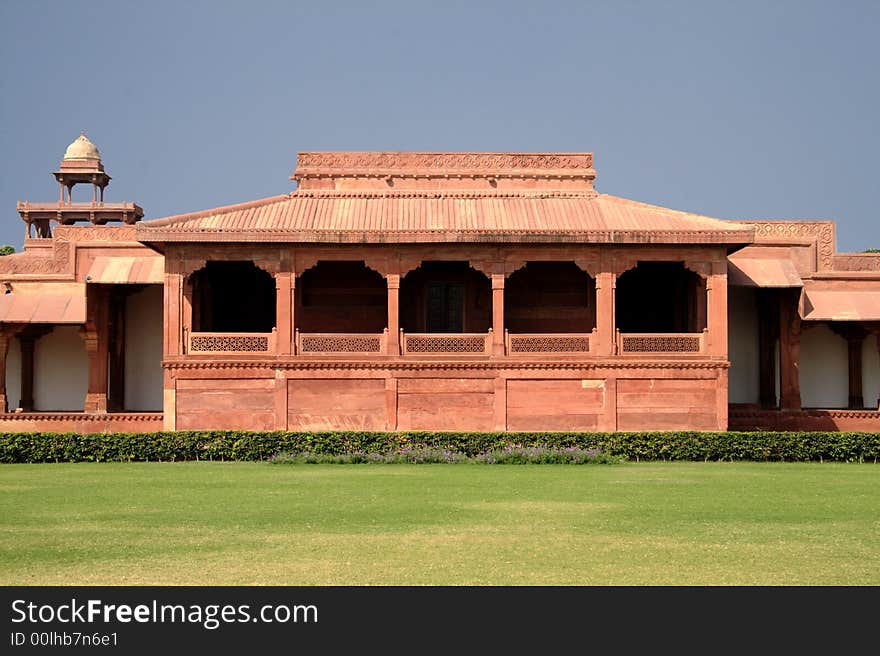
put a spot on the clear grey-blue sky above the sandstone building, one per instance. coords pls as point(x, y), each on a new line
point(731, 109)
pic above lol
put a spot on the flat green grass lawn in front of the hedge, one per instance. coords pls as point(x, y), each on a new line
point(254, 523)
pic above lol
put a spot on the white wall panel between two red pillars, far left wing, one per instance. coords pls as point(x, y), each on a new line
point(61, 370)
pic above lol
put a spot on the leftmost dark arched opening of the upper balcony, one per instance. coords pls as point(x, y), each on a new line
point(233, 297)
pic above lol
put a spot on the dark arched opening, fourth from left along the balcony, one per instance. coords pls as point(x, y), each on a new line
point(550, 297)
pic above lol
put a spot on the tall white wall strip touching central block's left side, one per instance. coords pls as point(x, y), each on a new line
point(143, 350)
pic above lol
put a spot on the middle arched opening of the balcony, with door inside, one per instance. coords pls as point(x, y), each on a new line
point(445, 297)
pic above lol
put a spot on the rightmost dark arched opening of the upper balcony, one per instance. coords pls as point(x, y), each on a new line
point(660, 297)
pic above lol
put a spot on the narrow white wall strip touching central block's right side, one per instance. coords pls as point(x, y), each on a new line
point(742, 334)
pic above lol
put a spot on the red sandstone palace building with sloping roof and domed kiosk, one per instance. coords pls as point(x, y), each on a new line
point(439, 291)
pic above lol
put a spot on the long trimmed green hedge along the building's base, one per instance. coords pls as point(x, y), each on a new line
point(246, 445)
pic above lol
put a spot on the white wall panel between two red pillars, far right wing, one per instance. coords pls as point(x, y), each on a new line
point(824, 368)
